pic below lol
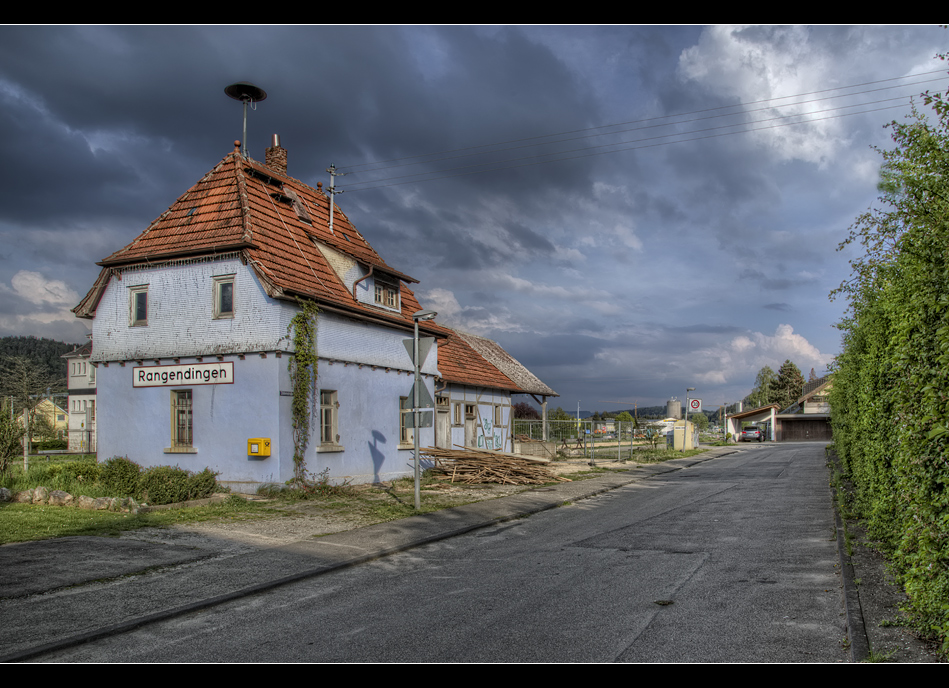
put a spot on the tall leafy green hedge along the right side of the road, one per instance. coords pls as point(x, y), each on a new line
point(890, 396)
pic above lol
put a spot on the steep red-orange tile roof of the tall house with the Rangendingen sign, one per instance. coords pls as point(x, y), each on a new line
point(243, 205)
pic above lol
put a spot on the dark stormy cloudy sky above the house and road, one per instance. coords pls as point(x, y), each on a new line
point(628, 210)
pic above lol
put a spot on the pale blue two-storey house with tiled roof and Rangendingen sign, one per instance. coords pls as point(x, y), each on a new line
point(190, 325)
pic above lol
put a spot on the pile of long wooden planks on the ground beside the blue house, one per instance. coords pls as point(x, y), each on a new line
point(468, 465)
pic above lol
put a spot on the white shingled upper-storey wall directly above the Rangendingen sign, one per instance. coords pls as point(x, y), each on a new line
point(180, 315)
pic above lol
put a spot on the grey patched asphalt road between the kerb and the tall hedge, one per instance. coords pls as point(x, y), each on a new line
point(729, 560)
